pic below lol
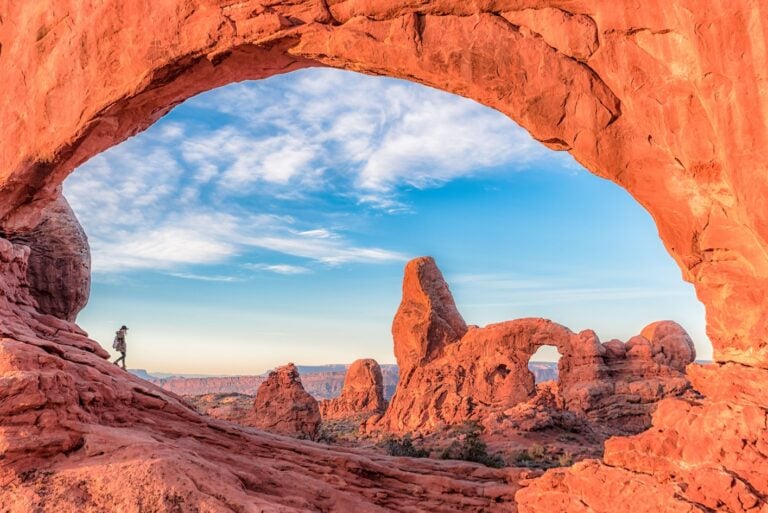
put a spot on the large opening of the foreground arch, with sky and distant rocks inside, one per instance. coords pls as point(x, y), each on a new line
point(256, 224)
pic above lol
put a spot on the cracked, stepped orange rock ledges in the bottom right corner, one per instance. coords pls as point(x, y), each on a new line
point(699, 456)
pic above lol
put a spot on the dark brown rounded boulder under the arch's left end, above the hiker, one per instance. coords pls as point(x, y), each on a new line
point(59, 269)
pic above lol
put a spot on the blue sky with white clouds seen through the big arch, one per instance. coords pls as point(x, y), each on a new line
point(267, 222)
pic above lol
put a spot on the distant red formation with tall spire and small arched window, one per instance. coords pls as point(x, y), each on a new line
point(484, 373)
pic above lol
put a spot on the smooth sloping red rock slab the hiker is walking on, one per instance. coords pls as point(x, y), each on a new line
point(79, 435)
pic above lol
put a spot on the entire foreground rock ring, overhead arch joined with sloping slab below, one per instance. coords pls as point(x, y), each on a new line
point(666, 99)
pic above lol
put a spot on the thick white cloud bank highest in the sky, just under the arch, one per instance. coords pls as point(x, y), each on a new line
point(381, 132)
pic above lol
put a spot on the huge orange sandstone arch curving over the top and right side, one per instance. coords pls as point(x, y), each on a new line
point(667, 99)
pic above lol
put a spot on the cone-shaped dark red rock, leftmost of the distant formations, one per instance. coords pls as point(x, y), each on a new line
point(283, 406)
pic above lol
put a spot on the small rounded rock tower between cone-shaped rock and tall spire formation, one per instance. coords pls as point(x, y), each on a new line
point(362, 395)
